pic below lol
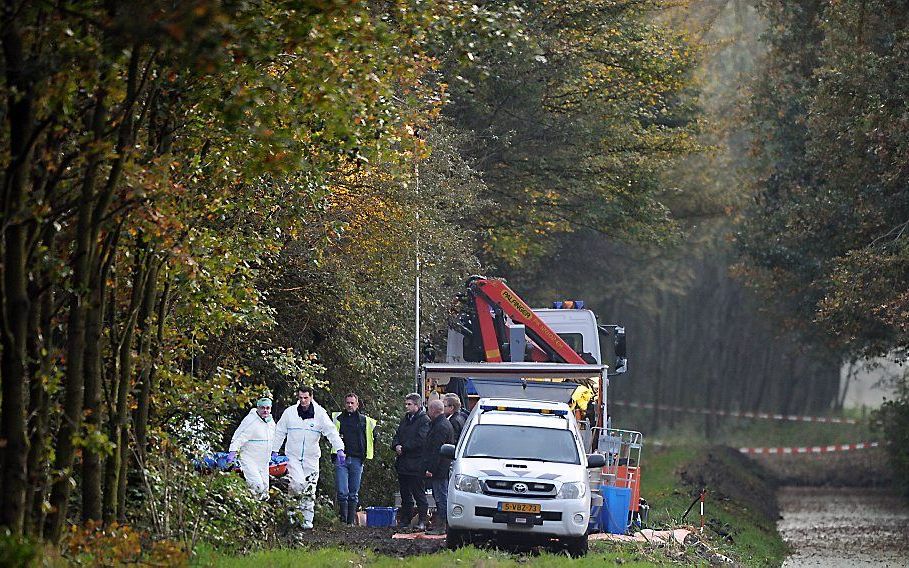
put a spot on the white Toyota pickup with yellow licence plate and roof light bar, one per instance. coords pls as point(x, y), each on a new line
point(520, 473)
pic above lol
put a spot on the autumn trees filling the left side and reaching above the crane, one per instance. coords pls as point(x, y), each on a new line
point(206, 199)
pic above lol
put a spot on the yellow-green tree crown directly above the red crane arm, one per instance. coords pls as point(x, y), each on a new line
point(574, 122)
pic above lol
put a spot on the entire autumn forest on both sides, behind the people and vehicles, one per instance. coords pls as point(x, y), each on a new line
point(204, 201)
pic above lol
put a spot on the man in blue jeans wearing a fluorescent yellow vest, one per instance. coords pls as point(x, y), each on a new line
point(358, 432)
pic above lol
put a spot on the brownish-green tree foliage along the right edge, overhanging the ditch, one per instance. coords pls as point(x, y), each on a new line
point(827, 234)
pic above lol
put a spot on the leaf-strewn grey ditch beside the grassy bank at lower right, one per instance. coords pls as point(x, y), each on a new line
point(844, 527)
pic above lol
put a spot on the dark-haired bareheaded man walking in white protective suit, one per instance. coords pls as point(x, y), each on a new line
point(303, 425)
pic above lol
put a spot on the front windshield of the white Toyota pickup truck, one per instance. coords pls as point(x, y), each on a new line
point(521, 443)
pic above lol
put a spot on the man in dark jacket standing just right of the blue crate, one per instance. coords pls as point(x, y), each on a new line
point(408, 443)
